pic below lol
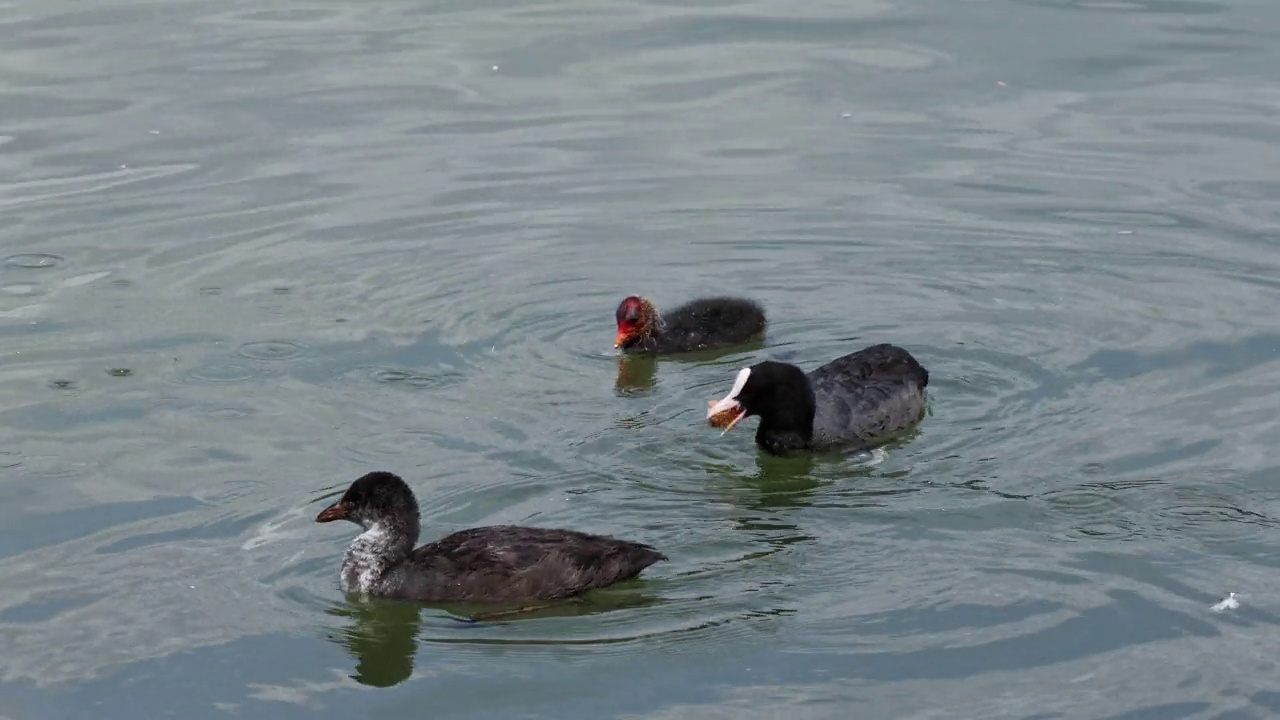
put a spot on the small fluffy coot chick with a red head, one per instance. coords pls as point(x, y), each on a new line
point(706, 323)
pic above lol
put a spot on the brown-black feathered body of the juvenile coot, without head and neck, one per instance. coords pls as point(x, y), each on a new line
point(506, 563)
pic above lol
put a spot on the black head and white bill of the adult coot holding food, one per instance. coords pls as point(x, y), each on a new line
point(778, 393)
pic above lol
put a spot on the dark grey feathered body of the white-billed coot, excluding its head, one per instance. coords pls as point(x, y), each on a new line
point(868, 398)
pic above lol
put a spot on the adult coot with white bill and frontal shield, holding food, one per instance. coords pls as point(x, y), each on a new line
point(854, 403)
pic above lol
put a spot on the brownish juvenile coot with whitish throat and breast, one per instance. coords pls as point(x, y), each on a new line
point(495, 564)
